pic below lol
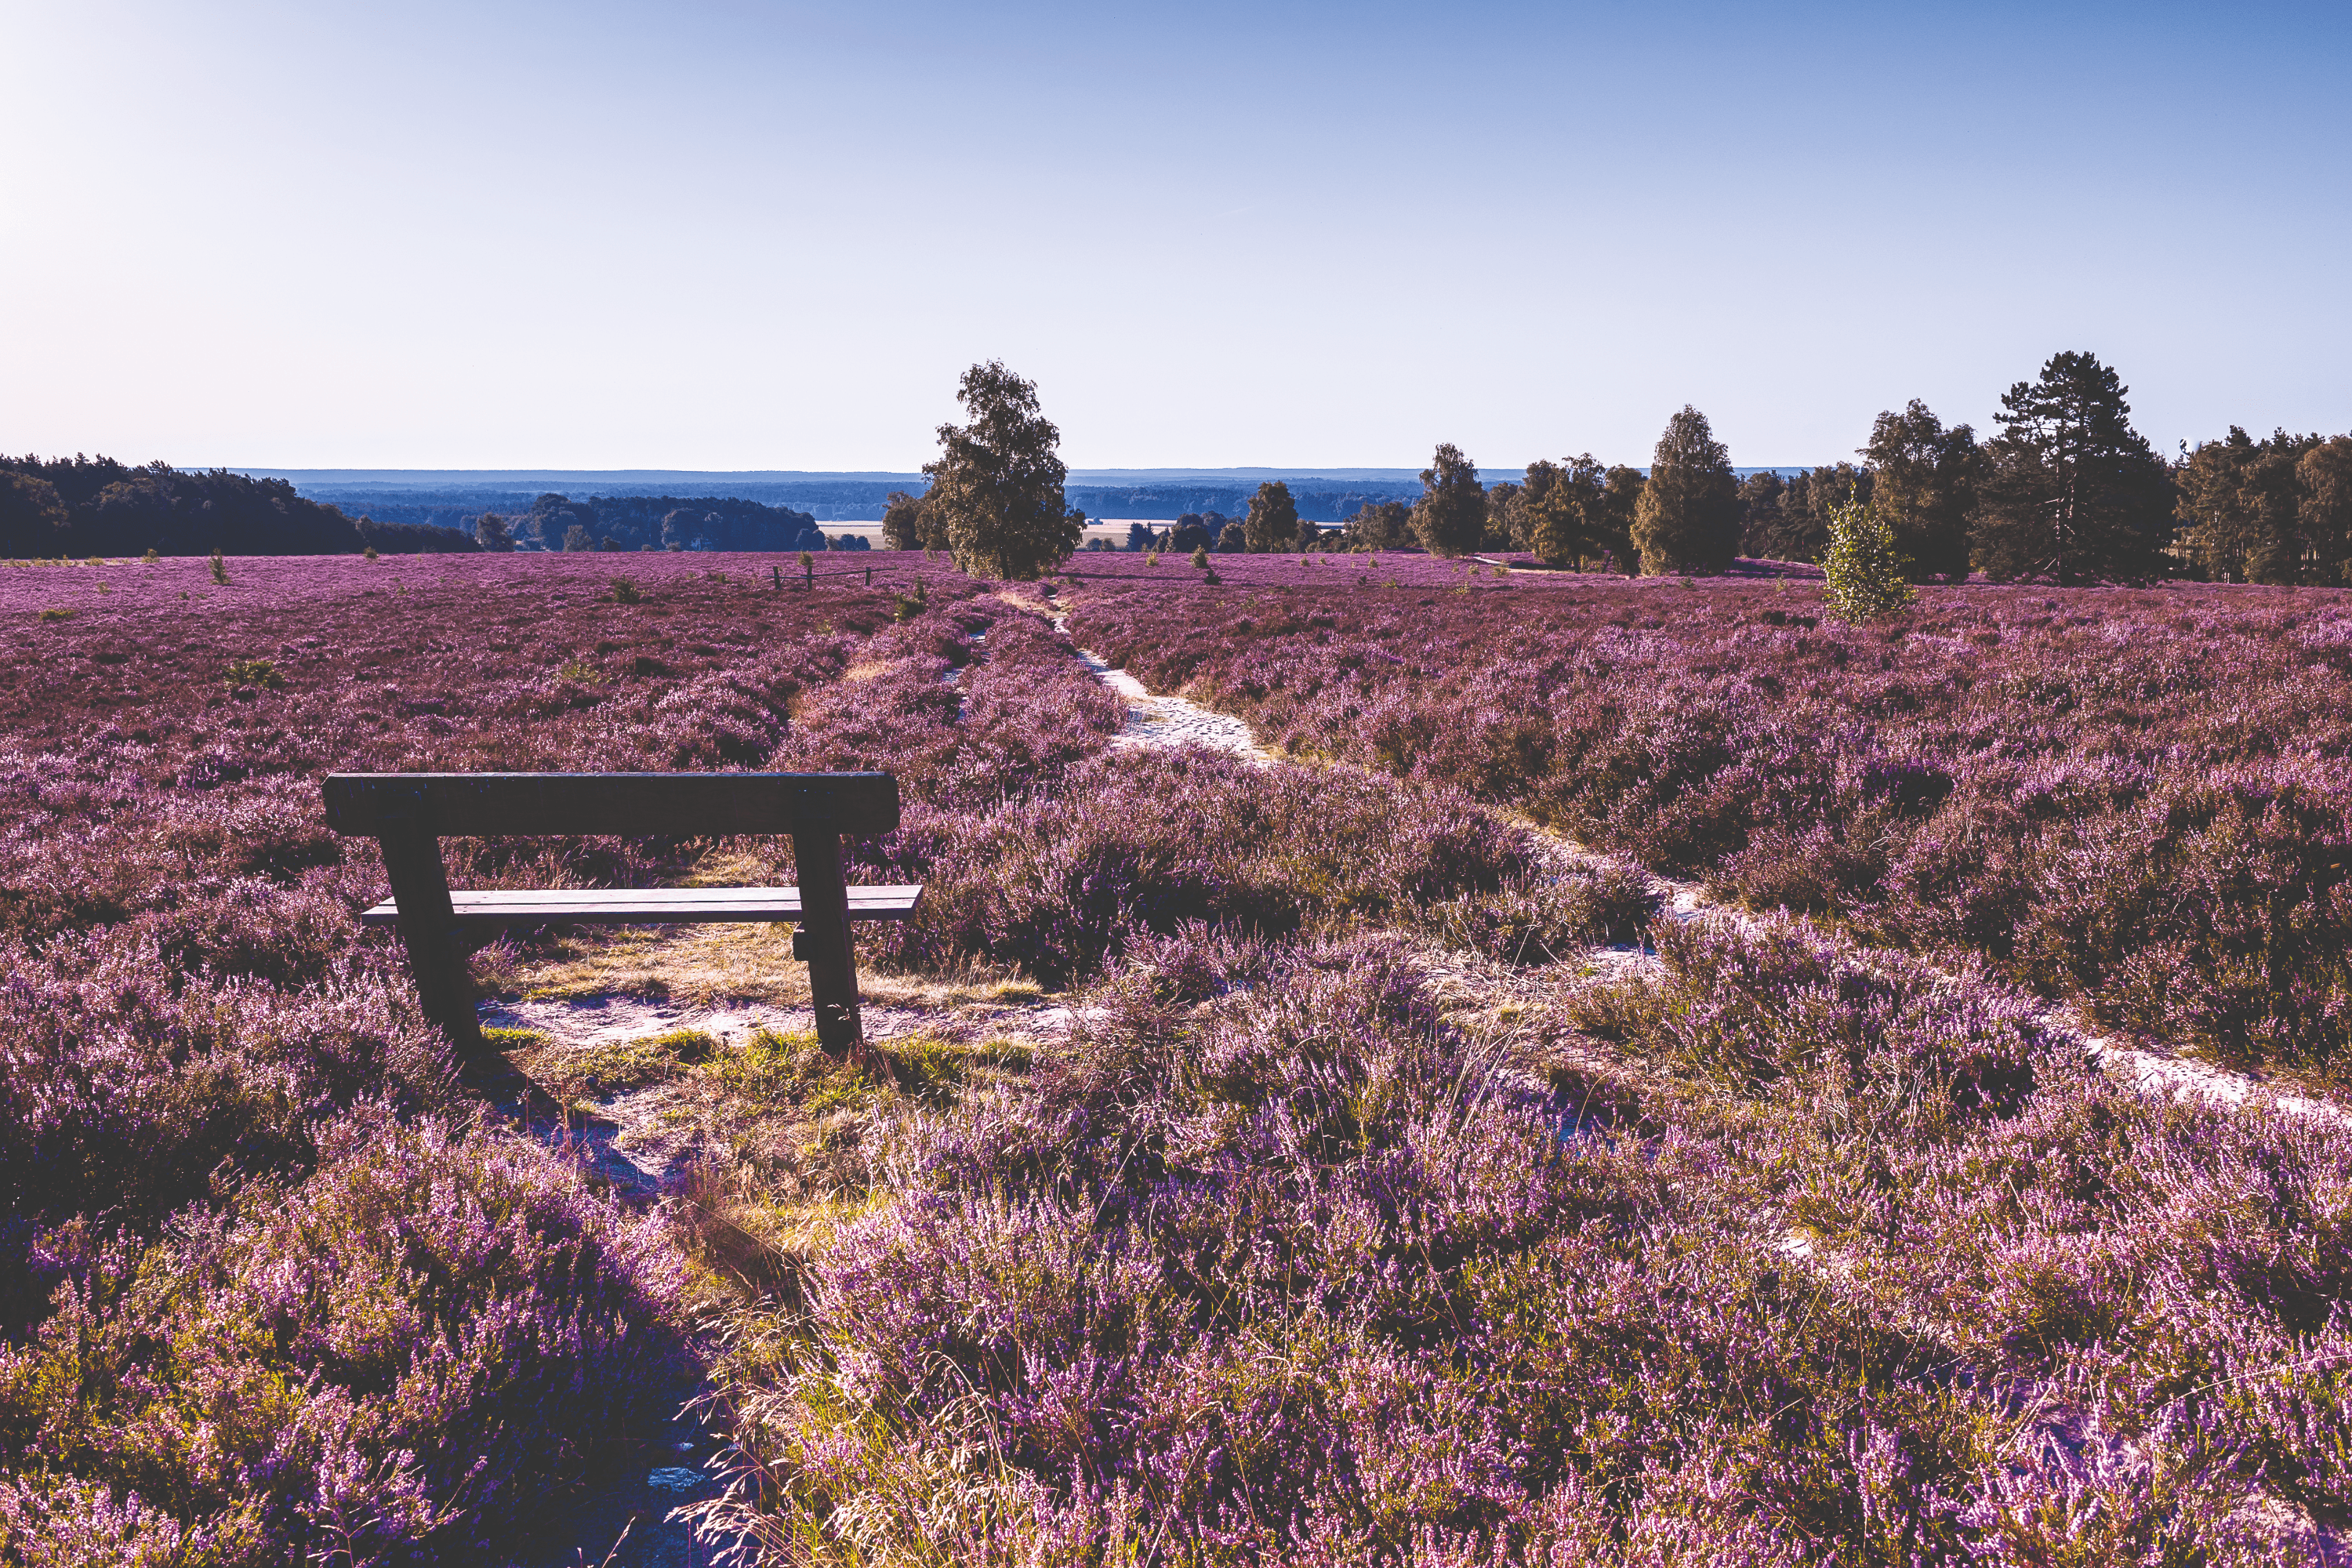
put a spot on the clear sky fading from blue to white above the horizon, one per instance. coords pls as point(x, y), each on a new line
point(770, 236)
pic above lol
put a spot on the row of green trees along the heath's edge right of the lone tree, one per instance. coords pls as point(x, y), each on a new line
point(2064, 490)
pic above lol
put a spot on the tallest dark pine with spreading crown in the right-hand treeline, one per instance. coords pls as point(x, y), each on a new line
point(2071, 490)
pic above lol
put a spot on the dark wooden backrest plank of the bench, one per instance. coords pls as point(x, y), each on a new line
point(467, 805)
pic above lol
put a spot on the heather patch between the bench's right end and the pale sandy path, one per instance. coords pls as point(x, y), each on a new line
point(1041, 850)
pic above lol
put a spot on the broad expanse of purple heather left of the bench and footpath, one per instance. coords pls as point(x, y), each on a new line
point(248, 1313)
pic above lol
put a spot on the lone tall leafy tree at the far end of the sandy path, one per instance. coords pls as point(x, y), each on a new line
point(996, 483)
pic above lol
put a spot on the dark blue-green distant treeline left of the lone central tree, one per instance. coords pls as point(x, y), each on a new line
point(98, 507)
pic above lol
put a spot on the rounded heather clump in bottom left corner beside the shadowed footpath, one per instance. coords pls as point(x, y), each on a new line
point(396, 1358)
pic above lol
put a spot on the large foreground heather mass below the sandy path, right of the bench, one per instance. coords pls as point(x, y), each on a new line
point(1283, 1266)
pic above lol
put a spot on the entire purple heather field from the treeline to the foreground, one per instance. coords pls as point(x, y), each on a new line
point(1401, 1181)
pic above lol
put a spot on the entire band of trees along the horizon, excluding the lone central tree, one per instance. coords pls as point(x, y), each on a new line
point(2066, 490)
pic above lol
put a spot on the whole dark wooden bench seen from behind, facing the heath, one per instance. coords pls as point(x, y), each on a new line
point(410, 815)
